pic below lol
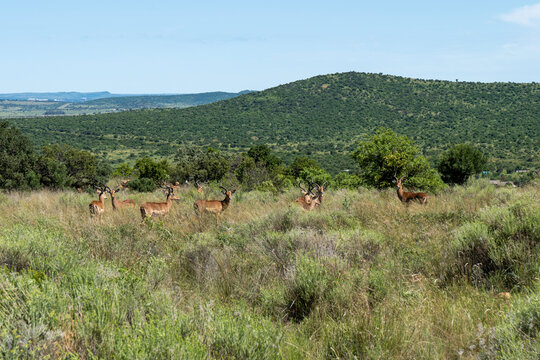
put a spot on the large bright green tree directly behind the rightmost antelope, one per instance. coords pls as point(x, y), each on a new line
point(386, 155)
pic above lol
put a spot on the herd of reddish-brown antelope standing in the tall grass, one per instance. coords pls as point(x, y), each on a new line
point(312, 197)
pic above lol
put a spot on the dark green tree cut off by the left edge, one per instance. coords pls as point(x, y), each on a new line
point(17, 160)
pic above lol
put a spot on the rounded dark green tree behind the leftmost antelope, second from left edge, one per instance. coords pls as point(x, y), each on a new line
point(62, 165)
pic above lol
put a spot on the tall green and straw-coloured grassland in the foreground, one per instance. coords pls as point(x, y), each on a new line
point(362, 277)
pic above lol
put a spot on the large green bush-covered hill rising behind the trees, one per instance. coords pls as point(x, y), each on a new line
point(323, 117)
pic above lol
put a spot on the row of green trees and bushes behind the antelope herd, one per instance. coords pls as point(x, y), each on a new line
point(381, 159)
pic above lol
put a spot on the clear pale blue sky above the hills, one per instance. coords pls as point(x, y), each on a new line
point(196, 46)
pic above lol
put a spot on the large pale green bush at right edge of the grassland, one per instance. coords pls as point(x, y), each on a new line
point(500, 248)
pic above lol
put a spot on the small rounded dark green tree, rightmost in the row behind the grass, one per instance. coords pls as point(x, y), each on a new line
point(461, 161)
